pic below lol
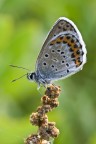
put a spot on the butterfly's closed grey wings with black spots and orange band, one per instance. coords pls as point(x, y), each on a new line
point(63, 52)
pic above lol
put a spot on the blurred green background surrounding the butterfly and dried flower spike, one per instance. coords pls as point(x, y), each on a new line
point(24, 25)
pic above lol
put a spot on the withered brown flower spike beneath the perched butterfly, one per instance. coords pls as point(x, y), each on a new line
point(46, 130)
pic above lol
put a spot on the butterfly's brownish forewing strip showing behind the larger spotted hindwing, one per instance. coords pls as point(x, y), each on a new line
point(62, 25)
